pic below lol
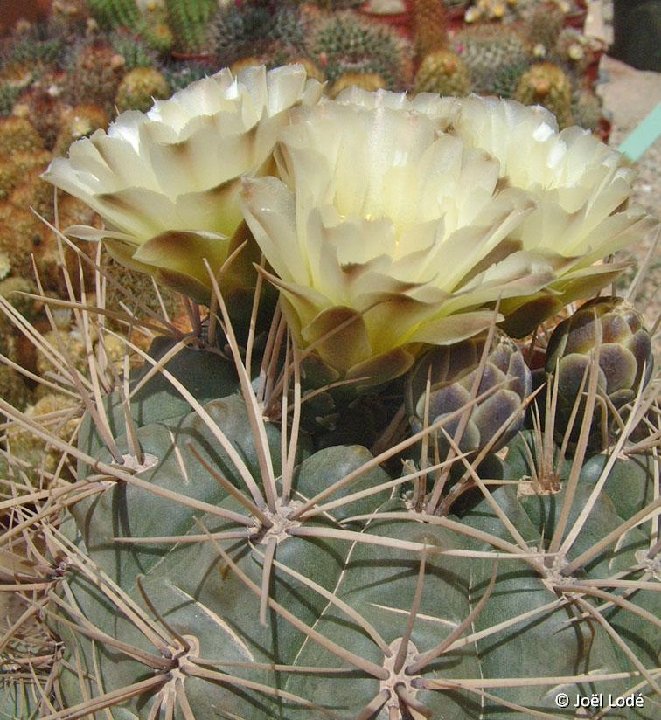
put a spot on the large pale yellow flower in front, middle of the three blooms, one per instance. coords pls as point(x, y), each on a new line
point(385, 234)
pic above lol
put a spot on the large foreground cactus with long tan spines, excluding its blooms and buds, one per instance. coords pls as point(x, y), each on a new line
point(204, 556)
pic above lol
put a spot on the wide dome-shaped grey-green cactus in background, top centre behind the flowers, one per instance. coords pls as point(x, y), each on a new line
point(343, 42)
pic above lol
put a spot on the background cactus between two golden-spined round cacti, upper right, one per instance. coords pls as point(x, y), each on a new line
point(496, 58)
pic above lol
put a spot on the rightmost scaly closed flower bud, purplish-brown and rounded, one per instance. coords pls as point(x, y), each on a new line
point(612, 332)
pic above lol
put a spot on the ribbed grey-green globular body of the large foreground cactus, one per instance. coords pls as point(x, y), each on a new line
point(173, 571)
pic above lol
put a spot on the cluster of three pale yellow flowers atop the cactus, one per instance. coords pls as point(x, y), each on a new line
point(387, 222)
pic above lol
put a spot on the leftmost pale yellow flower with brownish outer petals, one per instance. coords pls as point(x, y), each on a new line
point(166, 183)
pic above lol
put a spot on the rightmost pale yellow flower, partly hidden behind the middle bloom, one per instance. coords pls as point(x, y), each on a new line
point(581, 189)
